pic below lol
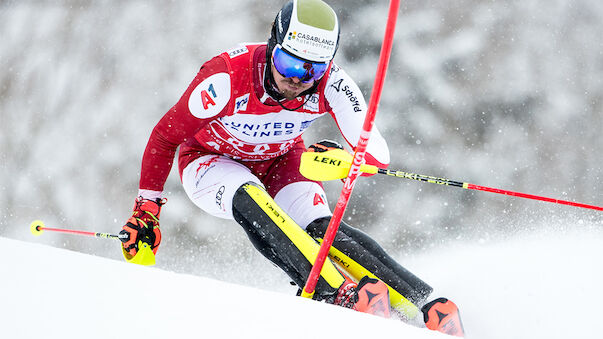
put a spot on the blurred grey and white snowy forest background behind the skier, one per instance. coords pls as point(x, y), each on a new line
point(499, 93)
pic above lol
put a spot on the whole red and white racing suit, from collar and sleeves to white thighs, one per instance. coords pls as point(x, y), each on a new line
point(230, 132)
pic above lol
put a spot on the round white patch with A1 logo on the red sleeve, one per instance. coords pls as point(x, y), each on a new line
point(210, 97)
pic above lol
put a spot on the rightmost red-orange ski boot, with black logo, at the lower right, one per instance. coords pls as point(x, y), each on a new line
point(443, 315)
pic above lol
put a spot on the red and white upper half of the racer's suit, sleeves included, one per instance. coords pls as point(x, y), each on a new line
point(226, 111)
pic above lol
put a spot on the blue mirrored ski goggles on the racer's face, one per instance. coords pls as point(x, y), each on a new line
point(289, 66)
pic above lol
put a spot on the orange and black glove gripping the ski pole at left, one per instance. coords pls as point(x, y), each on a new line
point(142, 226)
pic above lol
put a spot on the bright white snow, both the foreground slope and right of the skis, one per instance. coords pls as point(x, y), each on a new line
point(541, 285)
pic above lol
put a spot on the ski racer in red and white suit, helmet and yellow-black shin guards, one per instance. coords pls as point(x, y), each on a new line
point(238, 127)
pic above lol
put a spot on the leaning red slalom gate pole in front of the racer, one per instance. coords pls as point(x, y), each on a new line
point(348, 186)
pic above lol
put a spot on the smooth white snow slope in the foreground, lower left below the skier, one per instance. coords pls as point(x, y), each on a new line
point(55, 293)
